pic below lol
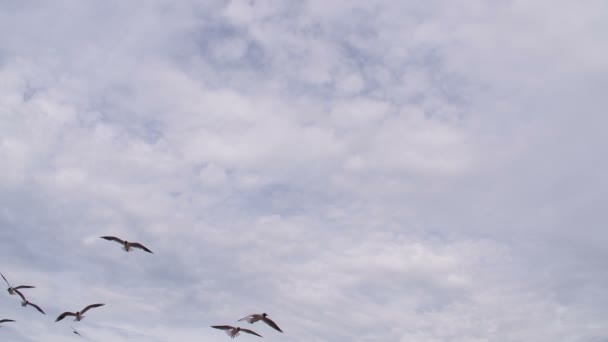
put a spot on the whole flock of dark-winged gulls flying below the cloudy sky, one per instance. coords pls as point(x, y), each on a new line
point(79, 315)
